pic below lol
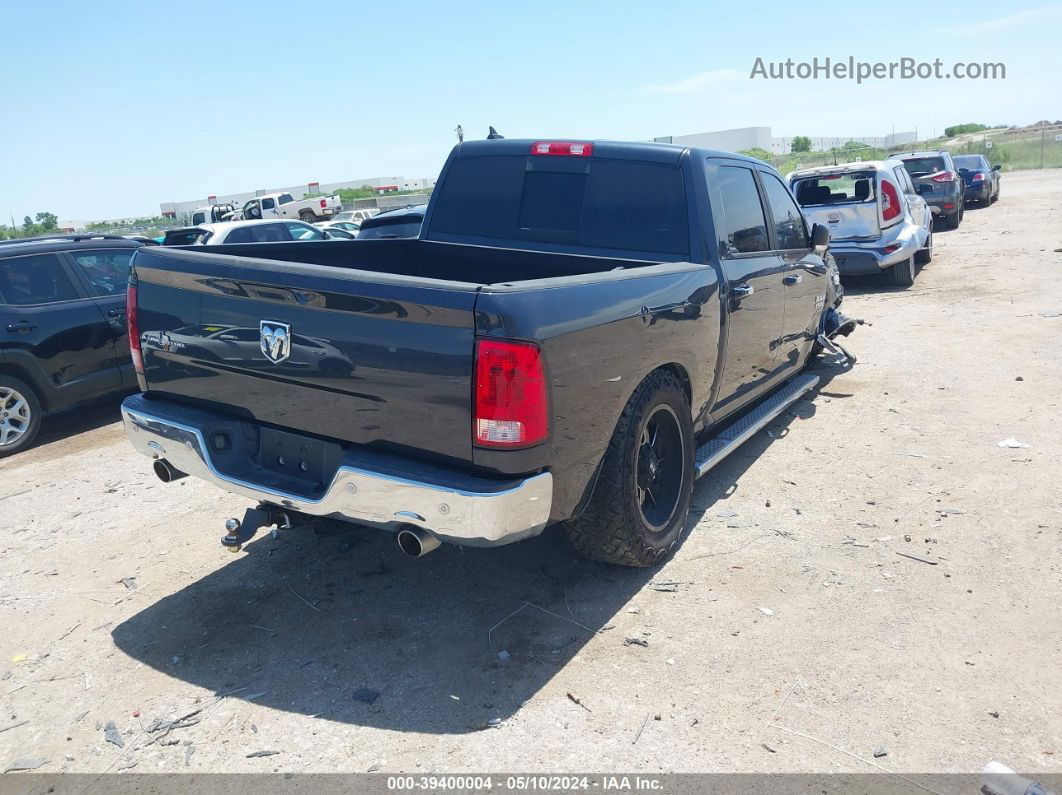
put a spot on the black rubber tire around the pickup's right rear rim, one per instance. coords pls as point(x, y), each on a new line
point(612, 528)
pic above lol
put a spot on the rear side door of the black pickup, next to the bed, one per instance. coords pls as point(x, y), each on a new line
point(755, 295)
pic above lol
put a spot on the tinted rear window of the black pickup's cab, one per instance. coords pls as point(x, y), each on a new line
point(594, 203)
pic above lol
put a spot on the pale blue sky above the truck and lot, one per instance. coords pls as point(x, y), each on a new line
point(112, 108)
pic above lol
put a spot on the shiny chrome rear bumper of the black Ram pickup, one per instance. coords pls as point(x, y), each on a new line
point(368, 488)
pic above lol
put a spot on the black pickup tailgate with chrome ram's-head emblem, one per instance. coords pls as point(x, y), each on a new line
point(347, 355)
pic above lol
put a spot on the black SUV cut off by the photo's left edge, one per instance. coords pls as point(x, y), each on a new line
point(63, 337)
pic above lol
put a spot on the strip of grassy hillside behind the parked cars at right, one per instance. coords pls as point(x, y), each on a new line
point(1015, 150)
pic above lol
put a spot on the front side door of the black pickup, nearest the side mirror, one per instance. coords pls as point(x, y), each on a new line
point(804, 273)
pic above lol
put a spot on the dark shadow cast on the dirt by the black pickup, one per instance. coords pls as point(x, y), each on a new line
point(333, 621)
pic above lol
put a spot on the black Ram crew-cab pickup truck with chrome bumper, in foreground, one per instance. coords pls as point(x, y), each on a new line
point(581, 331)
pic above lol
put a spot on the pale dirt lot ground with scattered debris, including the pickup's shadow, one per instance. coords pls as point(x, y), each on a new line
point(799, 637)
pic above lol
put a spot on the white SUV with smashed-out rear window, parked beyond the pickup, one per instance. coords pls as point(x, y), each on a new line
point(877, 219)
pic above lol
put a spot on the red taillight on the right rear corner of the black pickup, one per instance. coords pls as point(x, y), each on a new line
point(510, 395)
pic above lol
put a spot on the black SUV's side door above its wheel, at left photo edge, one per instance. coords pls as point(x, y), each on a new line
point(49, 323)
